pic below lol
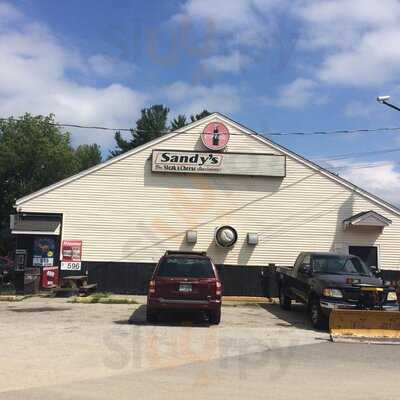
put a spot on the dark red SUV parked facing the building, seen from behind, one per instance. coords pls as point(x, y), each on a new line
point(185, 281)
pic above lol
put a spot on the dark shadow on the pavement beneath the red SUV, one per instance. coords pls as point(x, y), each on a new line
point(193, 319)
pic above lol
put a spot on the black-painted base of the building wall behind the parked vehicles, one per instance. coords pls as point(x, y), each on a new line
point(133, 278)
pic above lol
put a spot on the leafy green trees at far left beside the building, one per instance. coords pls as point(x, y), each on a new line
point(34, 153)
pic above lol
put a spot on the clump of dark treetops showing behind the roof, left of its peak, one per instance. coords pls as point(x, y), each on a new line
point(151, 125)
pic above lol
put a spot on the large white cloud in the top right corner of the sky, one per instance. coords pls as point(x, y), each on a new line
point(358, 40)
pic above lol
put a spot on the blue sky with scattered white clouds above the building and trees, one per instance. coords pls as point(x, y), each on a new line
point(272, 65)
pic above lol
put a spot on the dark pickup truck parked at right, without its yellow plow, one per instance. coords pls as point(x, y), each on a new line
point(324, 281)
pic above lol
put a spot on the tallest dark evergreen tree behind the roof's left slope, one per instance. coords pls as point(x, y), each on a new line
point(151, 125)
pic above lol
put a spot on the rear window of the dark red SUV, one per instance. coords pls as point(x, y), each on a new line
point(182, 267)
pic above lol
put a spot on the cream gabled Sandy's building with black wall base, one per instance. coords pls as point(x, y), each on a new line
point(176, 191)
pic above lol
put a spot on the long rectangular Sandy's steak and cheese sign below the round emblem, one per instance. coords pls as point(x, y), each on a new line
point(197, 162)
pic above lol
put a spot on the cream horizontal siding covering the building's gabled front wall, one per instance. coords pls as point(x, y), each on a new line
point(124, 212)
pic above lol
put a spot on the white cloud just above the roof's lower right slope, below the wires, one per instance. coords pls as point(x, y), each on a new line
point(379, 178)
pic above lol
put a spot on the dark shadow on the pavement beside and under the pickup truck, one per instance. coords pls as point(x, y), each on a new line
point(297, 317)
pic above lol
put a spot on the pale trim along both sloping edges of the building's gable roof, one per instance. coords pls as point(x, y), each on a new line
point(240, 127)
